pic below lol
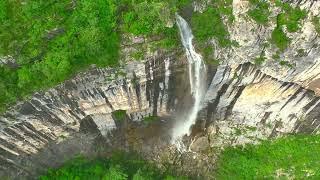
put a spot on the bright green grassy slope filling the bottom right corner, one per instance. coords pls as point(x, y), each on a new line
point(295, 157)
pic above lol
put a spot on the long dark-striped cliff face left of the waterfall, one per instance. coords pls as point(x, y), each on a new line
point(56, 115)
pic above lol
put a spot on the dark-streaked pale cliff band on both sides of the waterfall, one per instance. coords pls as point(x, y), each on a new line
point(242, 104)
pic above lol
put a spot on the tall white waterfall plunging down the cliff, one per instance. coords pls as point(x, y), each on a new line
point(197, 72)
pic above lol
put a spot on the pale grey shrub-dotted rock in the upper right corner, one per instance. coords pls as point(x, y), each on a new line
point(303, 52)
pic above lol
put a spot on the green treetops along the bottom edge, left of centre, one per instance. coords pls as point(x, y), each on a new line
point(120, 166)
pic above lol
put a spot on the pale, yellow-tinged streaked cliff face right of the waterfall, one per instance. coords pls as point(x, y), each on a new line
point(245, 105)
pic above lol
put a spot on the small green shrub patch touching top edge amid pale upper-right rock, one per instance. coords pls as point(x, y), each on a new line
point(260, 11)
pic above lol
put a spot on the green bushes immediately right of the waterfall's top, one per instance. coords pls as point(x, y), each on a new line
point(209, 24)
